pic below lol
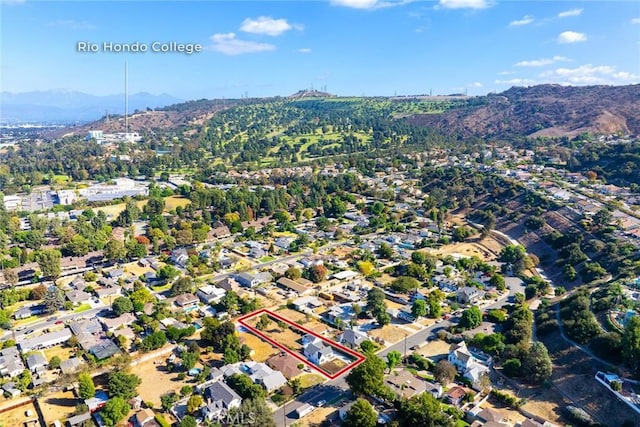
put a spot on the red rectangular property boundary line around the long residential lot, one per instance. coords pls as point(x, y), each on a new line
point(359, 358)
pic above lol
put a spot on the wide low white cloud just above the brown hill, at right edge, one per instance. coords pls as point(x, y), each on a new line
point(590, 74)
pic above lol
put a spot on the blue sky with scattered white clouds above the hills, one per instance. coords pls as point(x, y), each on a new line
point(353, 47)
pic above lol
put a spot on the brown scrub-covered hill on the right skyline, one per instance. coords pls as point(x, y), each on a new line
point(545, 110)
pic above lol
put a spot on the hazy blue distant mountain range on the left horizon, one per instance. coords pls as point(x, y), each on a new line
point(64, 106)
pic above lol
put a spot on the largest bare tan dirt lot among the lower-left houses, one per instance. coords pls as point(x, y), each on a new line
point(156, 381)
